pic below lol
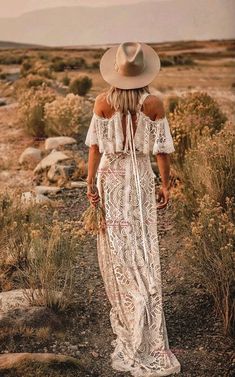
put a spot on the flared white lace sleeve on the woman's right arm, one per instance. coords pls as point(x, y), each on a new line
point(162, 137)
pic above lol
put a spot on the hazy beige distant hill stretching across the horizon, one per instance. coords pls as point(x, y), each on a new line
point(172, 20)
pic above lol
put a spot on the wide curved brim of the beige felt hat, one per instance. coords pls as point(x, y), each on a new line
point(112, 77)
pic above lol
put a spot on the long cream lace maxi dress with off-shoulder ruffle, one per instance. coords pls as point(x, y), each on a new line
point(128, 250)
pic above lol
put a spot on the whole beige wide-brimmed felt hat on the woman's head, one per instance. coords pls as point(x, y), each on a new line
point(130, 65)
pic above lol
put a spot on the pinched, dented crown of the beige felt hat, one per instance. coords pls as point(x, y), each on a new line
point(129, 60)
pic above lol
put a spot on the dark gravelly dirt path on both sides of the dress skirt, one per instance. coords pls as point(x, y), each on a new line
point(194, 334)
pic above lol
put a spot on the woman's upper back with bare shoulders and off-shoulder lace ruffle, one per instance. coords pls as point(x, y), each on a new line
point(148, 127)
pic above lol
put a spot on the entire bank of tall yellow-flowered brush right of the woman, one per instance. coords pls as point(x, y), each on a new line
point(203, 198)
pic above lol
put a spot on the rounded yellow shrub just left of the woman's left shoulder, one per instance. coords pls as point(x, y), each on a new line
point(65, 115)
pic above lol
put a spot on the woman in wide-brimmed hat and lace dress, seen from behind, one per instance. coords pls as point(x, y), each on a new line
point(128, 123)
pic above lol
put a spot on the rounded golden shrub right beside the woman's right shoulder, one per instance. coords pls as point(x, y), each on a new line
point(196, 115)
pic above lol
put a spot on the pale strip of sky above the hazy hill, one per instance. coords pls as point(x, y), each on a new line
point(14, 8)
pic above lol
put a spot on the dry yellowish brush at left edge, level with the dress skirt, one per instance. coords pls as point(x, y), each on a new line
point(37, 252)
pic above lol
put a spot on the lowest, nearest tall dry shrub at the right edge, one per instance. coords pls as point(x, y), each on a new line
point(211, 257)
